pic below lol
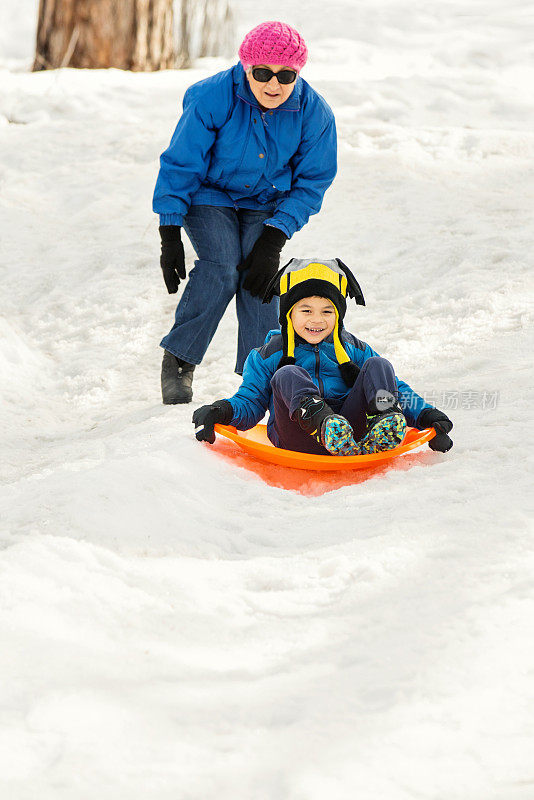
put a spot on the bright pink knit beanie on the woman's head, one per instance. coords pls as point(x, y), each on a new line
point(273, 43)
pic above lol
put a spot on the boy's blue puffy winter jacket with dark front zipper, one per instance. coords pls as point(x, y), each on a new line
point(255, 396)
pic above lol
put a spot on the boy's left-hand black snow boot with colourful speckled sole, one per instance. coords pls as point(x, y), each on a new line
point(331, 430)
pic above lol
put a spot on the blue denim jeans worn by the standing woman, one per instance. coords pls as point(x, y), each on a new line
point(222, 237)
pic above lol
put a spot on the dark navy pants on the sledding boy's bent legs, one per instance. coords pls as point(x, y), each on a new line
point(291, 384)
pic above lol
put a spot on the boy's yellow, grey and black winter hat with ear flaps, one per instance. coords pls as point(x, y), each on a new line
point(308, 277)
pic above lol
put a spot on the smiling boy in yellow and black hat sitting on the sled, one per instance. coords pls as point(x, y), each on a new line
point(326, 391)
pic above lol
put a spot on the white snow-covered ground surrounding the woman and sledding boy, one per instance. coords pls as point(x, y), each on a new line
point(176, 625)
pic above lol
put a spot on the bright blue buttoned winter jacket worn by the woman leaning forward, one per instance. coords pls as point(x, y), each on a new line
point(226, 151)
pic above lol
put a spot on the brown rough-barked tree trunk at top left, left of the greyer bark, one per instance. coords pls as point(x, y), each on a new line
point(126, 34)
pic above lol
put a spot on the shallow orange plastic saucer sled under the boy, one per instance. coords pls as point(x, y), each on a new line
point(256, 443)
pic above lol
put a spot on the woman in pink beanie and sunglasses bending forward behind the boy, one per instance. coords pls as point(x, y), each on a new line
point(250, 160)
